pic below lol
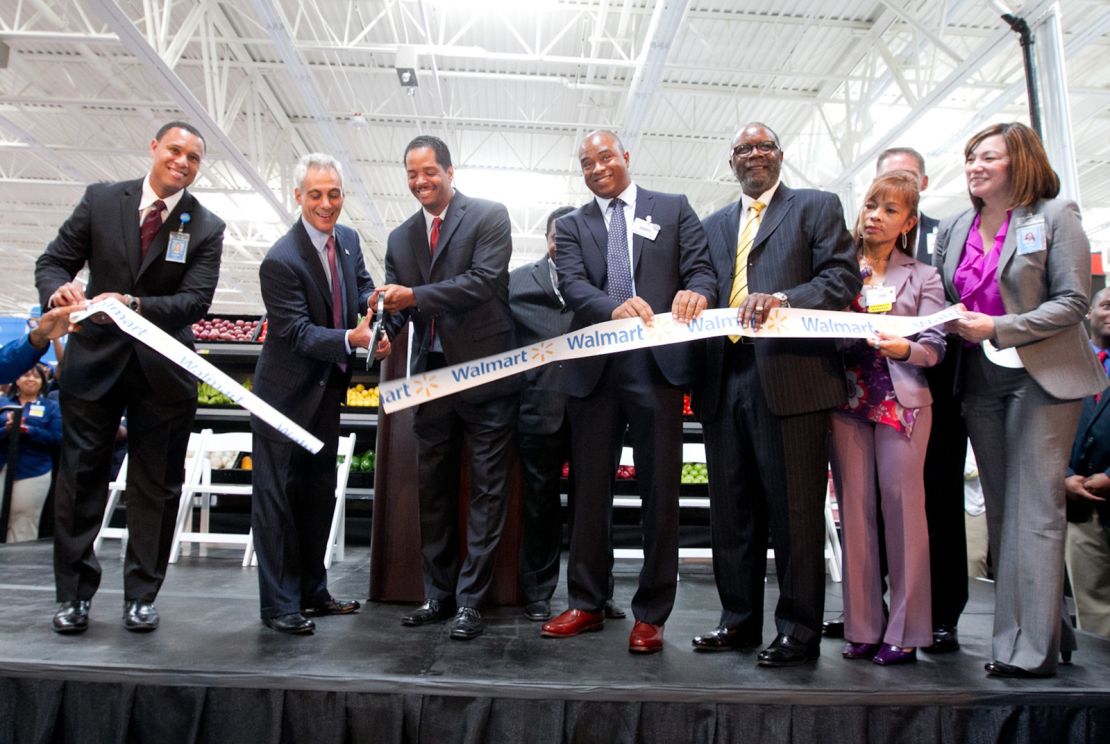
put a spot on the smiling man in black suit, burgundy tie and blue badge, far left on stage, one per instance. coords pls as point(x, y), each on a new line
point(150, 245)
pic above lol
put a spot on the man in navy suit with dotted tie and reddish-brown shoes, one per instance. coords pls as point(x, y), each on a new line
point(628, 254)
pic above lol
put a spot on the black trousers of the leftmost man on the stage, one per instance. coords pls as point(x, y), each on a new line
point(158, 435)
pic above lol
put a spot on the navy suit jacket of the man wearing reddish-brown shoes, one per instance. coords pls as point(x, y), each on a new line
point(678, 259)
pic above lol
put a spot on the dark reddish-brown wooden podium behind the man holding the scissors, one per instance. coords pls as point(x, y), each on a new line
point(396, 569)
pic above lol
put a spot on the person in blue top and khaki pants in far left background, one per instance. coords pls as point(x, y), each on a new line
point(41, 435)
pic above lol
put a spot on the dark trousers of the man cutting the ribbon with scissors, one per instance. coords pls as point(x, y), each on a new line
point(442, 427)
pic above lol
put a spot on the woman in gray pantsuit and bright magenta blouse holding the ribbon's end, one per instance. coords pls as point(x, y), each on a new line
point(1018, 263)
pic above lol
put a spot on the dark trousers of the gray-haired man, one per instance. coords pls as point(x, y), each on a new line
point(291, 510)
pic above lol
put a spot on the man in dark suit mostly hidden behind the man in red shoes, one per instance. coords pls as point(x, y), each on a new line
point(543, 430)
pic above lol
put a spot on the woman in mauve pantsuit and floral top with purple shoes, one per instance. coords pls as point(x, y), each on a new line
point(880, 437)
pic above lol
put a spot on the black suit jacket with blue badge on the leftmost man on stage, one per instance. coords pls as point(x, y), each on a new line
point(103, 234)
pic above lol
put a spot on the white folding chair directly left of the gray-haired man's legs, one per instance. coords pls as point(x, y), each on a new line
point(201, 495)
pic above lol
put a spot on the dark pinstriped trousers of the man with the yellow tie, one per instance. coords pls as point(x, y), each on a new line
point(766, 471)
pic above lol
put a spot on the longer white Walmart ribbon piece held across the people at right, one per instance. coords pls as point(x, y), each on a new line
point(628, 335)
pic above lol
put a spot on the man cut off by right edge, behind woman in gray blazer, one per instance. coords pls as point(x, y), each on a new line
point(1088, 488)
